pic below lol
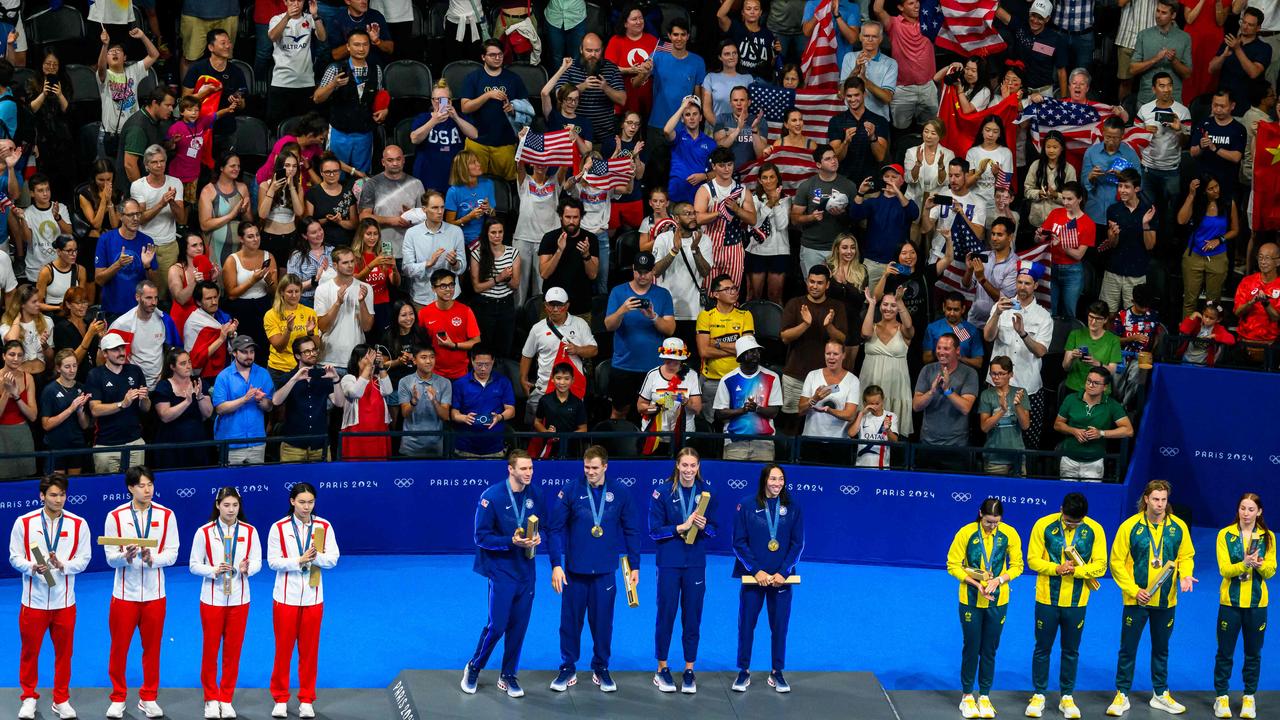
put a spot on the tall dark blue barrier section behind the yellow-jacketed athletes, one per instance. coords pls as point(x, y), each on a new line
point(1214, 435)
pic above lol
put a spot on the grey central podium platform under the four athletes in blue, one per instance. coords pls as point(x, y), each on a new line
point(815, 696)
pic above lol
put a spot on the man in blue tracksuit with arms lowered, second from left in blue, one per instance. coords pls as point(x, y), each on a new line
point(593, 523)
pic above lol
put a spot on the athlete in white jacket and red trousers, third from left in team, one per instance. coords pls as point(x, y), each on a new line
point(226, 553)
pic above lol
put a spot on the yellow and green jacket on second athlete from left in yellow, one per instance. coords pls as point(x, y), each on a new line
point(1045, 554)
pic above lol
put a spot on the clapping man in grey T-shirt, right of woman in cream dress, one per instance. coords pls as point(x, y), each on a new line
point(945, 394)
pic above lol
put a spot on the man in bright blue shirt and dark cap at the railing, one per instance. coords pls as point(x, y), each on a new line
point(243, 398)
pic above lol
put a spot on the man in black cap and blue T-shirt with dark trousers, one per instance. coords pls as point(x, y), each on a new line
point(641, 316)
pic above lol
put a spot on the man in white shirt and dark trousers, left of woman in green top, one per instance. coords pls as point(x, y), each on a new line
point(1020, 329)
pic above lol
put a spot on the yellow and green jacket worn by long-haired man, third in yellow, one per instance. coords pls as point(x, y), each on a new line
point(1133, 552)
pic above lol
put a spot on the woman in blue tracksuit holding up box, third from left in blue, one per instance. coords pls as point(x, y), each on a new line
point(682, 567)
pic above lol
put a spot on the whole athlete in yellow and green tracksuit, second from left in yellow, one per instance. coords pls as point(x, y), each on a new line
point(1063, 594)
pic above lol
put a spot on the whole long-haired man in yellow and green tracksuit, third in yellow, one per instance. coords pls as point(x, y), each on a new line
point(1144, 545)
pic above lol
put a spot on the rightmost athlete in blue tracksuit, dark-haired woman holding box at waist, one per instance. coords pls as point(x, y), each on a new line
point(769, 539)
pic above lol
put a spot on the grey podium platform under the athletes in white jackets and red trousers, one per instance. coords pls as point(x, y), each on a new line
point(189, 704)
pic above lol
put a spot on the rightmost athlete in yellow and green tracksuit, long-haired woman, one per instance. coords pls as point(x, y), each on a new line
point(1247, 560)
